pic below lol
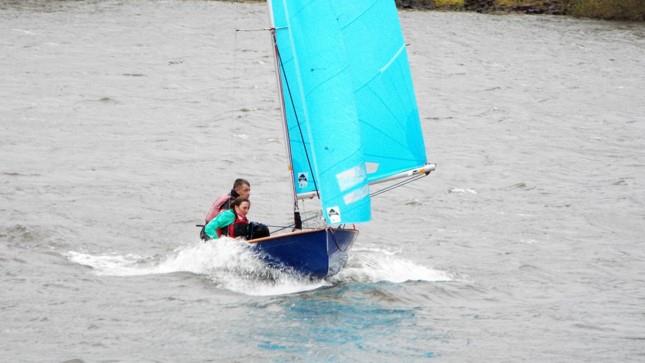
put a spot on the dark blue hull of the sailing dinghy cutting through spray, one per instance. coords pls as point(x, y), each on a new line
point(318, 253)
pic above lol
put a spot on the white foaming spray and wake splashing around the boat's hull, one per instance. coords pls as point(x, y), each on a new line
point(232, 265)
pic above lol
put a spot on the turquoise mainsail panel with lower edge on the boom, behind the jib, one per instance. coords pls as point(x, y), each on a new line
point(384, 94)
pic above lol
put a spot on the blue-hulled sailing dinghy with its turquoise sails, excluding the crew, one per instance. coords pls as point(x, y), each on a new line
point(350, 120)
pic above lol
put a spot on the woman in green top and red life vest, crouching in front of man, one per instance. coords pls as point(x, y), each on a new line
point(230, 222)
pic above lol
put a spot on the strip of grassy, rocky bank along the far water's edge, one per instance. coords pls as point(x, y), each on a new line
point(600, 9)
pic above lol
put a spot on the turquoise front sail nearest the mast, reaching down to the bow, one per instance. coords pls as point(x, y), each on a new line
point(319, 102)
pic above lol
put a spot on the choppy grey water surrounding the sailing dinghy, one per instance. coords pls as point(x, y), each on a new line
point(121, 121)
